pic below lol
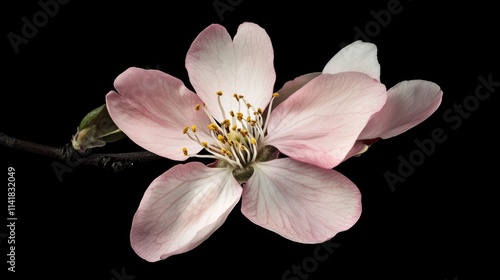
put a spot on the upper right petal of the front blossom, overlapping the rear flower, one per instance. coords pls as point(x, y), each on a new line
point(320, 122)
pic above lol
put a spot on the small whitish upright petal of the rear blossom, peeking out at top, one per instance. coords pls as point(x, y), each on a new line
point(358, 57)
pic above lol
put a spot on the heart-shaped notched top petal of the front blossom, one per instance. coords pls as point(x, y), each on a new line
point(243, 66)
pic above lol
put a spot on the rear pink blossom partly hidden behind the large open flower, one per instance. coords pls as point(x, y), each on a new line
point(408, 102)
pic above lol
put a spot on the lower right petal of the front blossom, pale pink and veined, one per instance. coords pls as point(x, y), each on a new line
point(299, 201)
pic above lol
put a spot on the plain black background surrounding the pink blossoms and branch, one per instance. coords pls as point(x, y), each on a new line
point(437, 224)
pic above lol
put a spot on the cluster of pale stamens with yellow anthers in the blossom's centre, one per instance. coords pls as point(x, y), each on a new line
point(237, 141)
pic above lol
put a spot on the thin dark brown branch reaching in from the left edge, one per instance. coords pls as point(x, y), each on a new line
point(115, 162)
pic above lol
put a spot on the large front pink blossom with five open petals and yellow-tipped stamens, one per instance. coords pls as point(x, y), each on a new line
point(298, 197)
